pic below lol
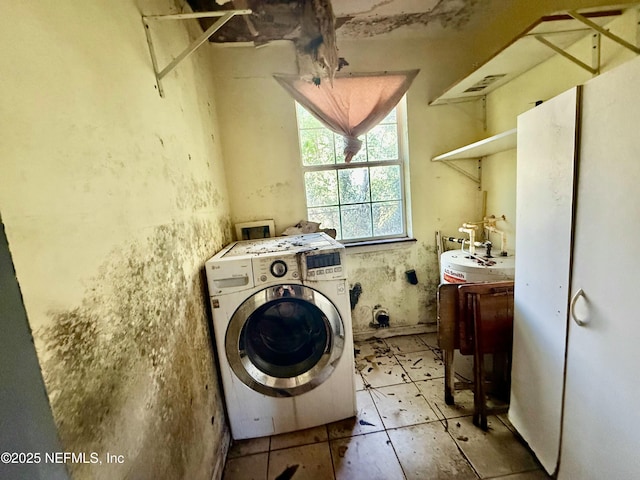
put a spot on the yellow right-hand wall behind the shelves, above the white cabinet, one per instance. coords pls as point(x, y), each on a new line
point(543, 82)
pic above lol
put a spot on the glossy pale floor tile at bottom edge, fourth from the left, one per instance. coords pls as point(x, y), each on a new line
point(427, 451)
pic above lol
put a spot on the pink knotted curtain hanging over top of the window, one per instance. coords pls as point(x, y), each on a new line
point(353, 105)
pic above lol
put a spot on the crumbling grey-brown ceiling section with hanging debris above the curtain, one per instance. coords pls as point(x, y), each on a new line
point(314, 25)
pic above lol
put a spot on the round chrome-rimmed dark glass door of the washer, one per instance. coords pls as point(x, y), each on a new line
point(284, 340)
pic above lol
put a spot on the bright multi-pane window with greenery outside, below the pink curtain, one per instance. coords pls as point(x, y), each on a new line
point(363, 199)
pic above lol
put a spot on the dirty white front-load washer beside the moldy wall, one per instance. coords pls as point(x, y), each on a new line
point(282, 327)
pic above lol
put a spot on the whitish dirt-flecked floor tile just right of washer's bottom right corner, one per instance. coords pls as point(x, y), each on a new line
point(402, 405)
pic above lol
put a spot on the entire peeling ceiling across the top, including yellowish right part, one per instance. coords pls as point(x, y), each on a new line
point(317, 26)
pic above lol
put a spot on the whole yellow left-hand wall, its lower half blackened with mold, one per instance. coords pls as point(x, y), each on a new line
point(113, 198)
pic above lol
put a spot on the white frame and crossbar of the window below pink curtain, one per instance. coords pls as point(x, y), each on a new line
point(402, 162)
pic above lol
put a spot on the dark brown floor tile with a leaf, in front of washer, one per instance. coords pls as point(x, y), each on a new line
point(313, 461)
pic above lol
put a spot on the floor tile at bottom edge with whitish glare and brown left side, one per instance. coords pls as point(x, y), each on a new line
point(365, 457)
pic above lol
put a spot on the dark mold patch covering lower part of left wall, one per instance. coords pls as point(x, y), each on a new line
point(130, 371)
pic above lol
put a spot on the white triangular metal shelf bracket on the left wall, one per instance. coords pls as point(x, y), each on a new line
point(147, 20)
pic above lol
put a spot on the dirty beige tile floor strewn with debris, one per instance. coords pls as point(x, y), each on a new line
point(403, 429)
